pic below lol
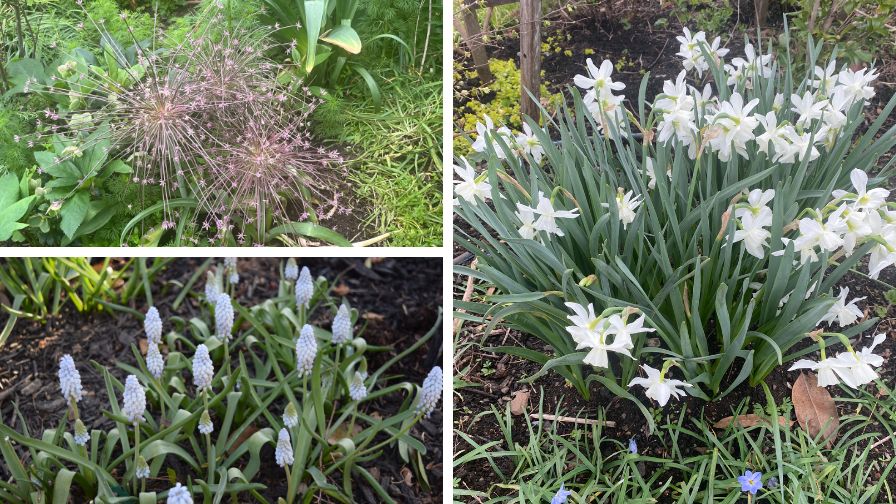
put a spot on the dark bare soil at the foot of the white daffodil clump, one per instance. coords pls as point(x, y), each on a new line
point(495, 379)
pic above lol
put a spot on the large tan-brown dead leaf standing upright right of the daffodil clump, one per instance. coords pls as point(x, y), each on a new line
point(815, 409)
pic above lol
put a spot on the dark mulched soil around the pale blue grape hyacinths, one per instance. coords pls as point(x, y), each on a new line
point(398, 298)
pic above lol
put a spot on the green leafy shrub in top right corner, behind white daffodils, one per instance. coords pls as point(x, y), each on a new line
point(857, 28)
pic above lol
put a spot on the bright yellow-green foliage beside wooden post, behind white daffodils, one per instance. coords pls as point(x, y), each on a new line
point(499, 100)
